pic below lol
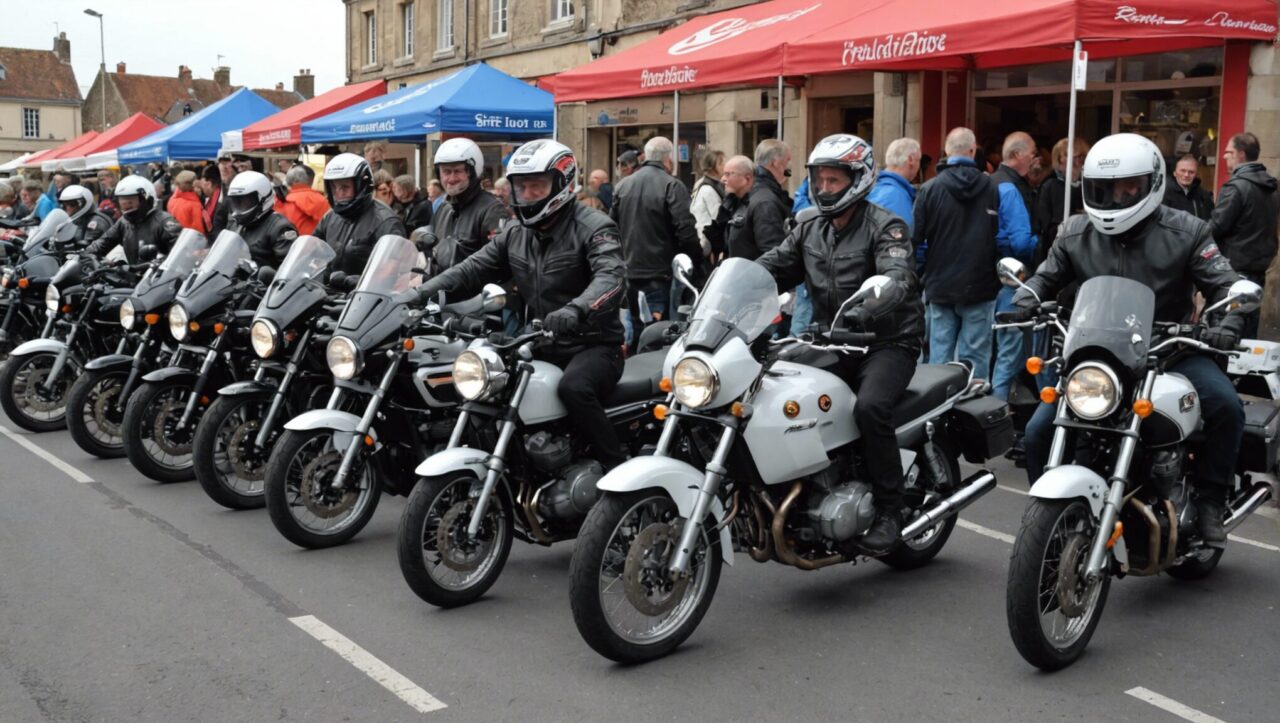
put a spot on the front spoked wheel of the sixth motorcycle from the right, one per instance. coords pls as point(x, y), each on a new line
point(153, 440)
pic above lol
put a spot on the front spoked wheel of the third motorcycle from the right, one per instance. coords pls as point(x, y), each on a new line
point(440, 561)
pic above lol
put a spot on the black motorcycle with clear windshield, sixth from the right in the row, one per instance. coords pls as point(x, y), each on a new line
point(209, 319)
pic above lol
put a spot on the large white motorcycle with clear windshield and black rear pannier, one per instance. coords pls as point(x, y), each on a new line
point(780, 470)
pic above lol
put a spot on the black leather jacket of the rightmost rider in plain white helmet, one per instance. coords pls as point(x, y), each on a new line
point(1172, 253)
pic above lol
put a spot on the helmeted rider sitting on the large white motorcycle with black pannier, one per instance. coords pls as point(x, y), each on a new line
point(833, 254)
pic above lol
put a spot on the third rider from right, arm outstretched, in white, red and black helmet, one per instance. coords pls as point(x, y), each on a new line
point(568, 260)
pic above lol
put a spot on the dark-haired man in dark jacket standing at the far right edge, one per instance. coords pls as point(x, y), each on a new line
point(1245, 218)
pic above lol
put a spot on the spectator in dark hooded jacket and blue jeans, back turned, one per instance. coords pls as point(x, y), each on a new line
point(957, 221)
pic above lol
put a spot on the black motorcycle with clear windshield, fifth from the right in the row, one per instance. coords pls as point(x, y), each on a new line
point(237, 433)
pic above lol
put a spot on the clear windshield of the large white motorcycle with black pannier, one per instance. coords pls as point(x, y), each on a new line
point(740, 296)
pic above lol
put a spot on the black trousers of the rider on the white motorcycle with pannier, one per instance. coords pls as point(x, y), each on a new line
point(880, 378)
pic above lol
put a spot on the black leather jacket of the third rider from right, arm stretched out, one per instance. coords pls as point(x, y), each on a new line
point(577, 262)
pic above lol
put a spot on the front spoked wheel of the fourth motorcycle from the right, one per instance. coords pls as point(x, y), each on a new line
point(300, 496)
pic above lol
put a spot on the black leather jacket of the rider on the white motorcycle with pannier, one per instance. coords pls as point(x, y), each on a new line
point(835, 264)
